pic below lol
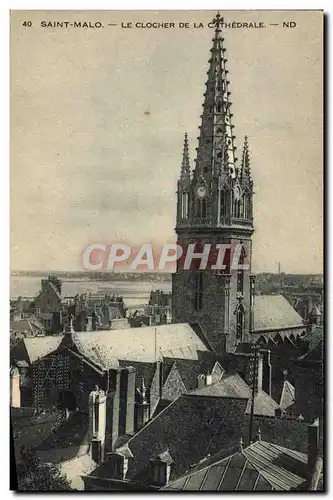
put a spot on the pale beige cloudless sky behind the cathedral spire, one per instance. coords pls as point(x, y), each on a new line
point(98, 117)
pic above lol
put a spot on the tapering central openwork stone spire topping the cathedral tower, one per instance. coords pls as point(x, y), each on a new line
point(216, 127)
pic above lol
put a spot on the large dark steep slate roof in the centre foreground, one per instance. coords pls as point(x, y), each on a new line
point(190, 428)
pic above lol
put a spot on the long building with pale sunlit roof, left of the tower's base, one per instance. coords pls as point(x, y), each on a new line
point(60, 371)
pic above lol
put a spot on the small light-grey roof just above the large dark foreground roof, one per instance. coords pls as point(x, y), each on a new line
point(233, 386)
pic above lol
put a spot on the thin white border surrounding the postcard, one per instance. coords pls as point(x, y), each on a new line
point(4, 185)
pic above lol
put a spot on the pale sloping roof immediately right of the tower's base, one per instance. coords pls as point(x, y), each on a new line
point(273, 312)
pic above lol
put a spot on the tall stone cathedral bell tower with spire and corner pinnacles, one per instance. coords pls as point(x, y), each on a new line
point(214, 207)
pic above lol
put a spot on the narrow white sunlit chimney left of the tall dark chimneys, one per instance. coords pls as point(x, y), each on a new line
point(97, 423)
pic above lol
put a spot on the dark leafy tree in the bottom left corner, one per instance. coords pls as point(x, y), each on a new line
point(35, 475)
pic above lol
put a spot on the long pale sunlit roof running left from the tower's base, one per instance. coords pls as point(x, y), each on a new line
point(106, 347)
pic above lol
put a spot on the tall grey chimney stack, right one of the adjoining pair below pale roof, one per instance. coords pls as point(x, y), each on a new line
point(126, 401)
